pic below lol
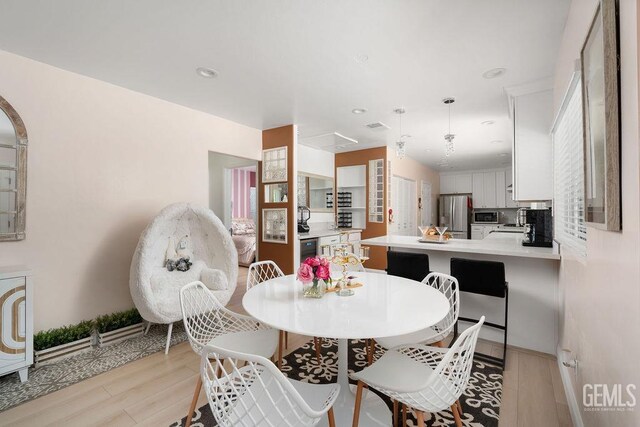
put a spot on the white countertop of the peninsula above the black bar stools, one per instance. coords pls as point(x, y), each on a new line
point(502, 244)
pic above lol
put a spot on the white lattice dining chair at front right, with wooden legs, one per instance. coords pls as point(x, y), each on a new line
point(427, 379)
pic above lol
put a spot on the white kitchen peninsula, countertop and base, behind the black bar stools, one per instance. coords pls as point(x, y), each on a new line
point(532, 274)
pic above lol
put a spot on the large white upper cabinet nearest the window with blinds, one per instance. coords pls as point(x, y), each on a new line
point(532, 151)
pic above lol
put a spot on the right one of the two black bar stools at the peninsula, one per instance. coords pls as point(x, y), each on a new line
point(483, 278)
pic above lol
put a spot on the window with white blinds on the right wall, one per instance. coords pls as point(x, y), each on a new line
point(568, 152)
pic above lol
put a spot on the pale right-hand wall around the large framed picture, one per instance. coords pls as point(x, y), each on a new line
point(600, 296)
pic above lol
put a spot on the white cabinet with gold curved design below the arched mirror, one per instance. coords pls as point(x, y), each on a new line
point(16, 321)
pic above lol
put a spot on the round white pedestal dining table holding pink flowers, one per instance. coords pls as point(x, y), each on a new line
point(384, 306)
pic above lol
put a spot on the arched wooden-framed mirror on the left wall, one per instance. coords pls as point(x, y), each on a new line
point(13, 173)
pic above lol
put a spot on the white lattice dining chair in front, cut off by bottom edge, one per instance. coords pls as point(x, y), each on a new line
point(258, 394)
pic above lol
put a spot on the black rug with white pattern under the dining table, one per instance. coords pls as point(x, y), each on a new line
point(480, 401)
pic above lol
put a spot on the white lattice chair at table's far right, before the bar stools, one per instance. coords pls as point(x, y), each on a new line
point(433, 335)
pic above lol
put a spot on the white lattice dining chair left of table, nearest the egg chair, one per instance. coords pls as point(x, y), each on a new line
point(206, 321)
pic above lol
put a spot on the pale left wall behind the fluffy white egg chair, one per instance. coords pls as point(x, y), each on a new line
point(102, 161)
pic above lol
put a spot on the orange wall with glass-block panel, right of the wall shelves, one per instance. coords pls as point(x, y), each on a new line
point(378, 255)
